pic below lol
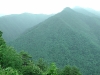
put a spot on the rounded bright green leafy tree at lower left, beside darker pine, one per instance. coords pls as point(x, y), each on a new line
point(11, 58)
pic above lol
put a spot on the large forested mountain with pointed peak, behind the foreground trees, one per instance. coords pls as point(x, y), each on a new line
point(68, 37)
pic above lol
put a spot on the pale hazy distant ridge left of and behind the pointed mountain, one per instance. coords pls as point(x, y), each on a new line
point(14, 25)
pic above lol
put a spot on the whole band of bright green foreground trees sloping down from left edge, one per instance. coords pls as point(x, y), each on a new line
point(13, 63)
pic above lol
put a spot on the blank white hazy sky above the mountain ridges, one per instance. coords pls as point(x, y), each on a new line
point(43, 6)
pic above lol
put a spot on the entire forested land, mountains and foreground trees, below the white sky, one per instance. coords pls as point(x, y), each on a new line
point(67, 43)
